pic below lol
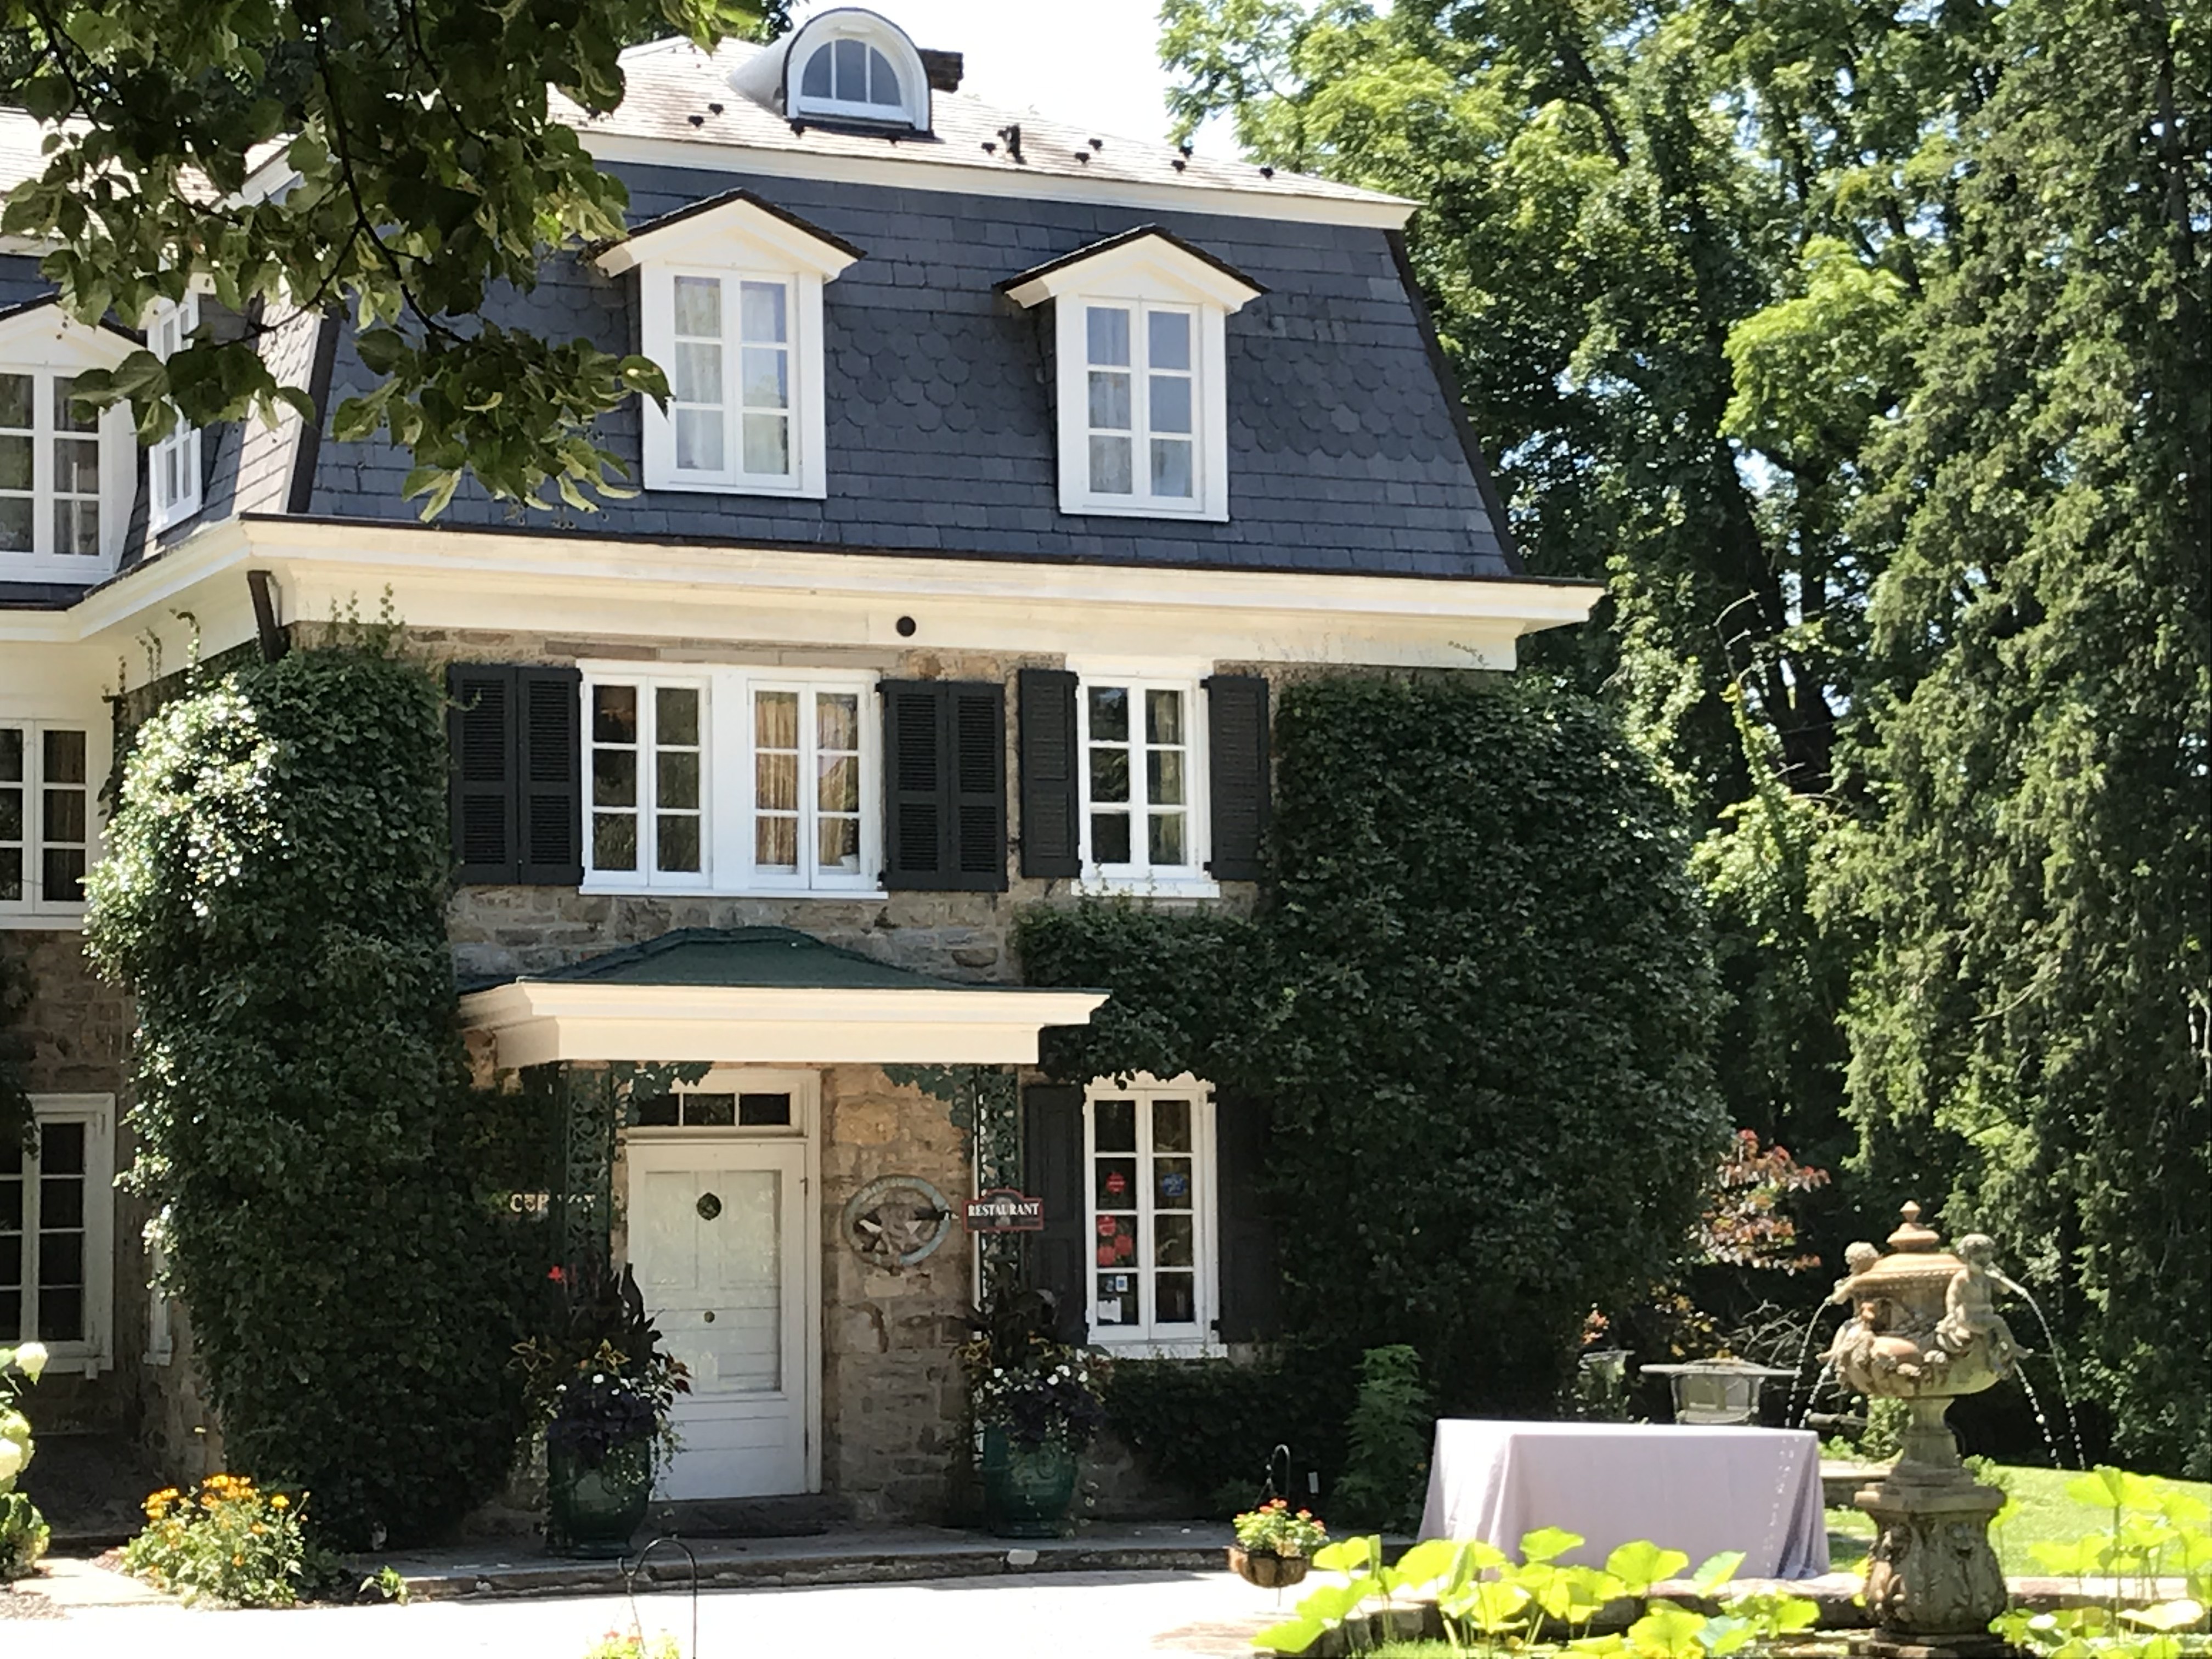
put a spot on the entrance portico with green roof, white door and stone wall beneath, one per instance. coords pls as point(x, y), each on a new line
point(769, 1116)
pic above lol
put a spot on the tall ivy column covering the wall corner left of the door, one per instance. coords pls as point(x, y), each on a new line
point(275, 899)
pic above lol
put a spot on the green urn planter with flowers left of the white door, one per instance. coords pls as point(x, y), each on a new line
point(605, 1397)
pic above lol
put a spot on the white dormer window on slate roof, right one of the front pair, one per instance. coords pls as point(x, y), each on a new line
point(1142, 375)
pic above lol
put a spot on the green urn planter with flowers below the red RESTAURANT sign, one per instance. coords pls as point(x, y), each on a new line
point(1036, 1408)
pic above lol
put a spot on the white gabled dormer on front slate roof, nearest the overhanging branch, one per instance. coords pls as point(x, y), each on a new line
point(731, 306)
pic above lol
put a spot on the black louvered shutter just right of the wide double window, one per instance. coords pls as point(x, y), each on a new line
point(943, 786)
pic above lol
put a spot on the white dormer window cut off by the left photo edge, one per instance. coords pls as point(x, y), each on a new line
point(65, 472)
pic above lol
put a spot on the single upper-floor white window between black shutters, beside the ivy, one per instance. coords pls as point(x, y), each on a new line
point(1145, 782)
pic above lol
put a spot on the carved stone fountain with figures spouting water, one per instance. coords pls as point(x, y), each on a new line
point(1926, 1331)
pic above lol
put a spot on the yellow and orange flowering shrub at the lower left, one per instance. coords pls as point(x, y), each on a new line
point(225, 1541)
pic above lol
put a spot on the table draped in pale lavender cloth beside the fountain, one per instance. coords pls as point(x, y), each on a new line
point(1695, 1490)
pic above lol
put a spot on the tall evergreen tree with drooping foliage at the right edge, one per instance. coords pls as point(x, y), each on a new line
point(2038, 870)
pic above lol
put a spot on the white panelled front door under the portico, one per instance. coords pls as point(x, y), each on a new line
point(720, 1244)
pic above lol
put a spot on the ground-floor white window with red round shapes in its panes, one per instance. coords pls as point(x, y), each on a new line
point(1149, 1173)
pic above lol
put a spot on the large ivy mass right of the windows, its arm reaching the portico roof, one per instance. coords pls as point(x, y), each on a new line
point(1479, 1003)
